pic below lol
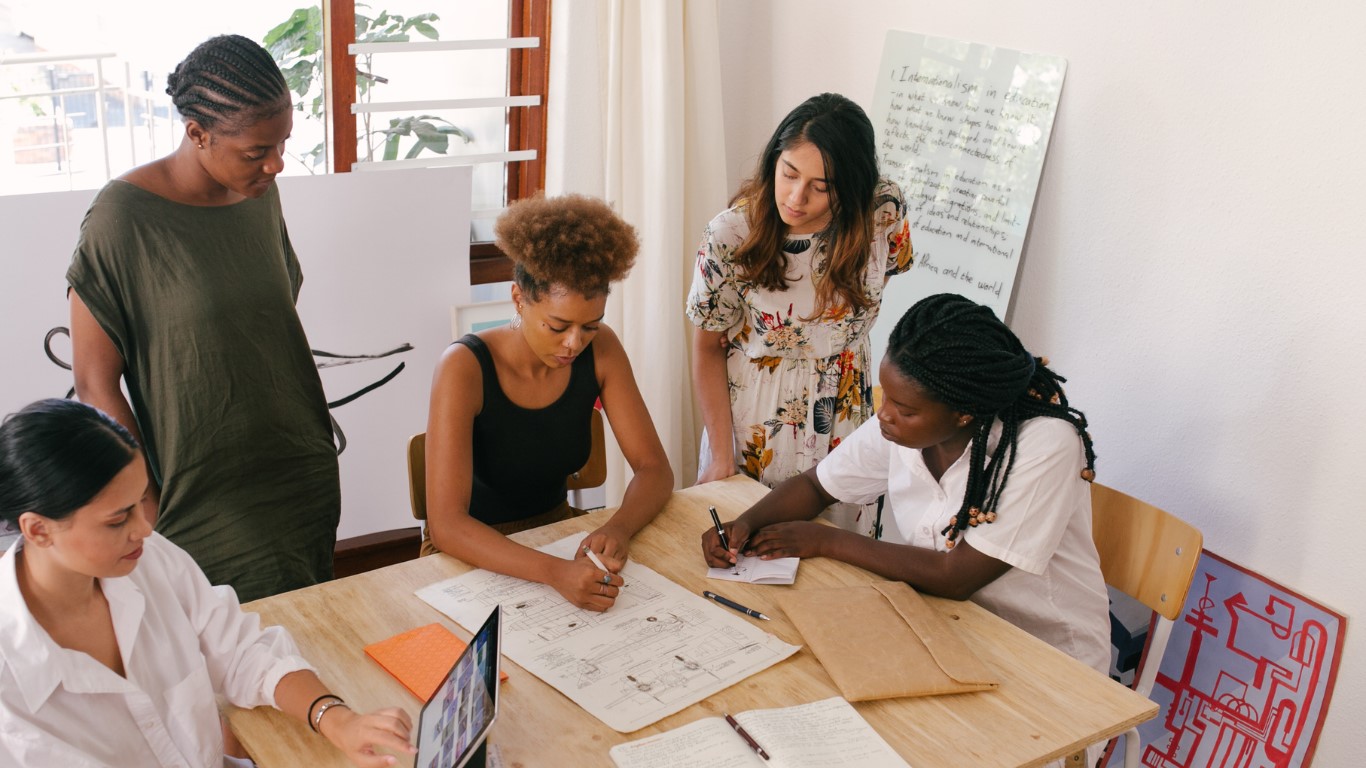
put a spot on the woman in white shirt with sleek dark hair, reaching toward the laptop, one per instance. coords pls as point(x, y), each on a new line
point(113, 643)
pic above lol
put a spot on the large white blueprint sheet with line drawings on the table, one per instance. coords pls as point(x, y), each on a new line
point(660, 648)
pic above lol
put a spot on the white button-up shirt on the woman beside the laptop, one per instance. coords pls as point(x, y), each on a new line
point(182, 642)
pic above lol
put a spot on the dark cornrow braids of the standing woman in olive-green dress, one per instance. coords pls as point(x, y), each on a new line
point(226, 80)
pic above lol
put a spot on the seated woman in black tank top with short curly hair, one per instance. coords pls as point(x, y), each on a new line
point(512, 408)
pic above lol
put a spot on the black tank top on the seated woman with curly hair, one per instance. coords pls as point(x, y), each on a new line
point(522, 456)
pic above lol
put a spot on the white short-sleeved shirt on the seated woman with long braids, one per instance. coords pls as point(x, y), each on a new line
point(1043, 530)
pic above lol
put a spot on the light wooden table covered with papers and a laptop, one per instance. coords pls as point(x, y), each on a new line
point(1048, 706)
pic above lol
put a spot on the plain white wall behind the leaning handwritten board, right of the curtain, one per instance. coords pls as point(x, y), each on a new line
point(1196, 258)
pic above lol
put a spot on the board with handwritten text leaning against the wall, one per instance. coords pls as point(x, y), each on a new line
point(964, 129)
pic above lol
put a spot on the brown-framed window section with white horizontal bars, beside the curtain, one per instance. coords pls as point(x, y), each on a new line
point(499, 126)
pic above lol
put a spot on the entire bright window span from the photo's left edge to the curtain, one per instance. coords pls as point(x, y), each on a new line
point(83, 92)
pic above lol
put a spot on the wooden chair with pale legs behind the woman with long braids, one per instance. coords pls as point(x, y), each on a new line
point(1149, 556)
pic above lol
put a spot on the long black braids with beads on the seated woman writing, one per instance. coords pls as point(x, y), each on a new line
point(972, 363)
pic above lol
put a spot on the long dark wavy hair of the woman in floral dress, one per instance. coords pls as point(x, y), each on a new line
point(844, 135)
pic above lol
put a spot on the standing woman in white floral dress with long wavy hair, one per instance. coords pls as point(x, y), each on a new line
point(789, 284)
